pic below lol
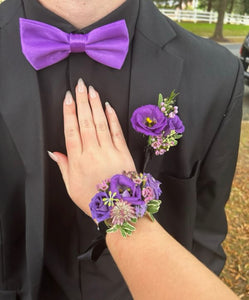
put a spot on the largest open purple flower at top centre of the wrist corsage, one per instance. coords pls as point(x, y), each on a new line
point(126, 189)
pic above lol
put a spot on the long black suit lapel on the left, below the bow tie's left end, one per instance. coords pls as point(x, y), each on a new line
point(21, 111)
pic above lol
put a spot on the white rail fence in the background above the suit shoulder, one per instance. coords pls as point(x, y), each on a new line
point(203, 16)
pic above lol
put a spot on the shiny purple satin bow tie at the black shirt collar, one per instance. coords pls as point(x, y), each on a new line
point(44, 45)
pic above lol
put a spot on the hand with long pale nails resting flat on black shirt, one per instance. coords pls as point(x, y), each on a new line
point(95, 151)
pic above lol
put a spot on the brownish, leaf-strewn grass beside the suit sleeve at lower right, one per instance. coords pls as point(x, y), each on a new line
point(236, 271)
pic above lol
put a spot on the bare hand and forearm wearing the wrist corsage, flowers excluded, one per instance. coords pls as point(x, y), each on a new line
point(154, 265)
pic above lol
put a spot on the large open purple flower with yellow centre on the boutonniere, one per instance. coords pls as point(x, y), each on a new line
point(149, 120)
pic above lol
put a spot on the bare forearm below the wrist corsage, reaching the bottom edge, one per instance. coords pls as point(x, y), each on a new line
point(155, 266)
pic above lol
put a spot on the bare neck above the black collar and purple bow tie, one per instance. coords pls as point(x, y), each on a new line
point(81, 13)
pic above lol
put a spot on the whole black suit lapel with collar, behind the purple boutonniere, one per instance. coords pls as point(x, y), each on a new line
point(155, 68)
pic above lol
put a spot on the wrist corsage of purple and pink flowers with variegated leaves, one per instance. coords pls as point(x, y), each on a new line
point(123, 199)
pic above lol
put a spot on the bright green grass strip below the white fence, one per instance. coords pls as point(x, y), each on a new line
point(207, 30)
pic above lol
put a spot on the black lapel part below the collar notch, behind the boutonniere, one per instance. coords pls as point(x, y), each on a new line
point(154, 70)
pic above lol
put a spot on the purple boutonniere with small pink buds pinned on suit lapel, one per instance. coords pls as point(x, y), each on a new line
point(160, 123)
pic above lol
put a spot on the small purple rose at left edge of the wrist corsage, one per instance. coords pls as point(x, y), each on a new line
point(99, 210)
